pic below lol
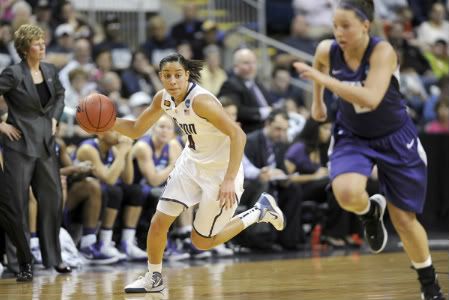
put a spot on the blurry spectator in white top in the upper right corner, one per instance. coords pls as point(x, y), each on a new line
point(436, 28)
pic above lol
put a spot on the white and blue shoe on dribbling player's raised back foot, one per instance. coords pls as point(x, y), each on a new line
point(270, 211)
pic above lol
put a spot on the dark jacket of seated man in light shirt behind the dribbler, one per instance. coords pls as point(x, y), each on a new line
point(256, 150)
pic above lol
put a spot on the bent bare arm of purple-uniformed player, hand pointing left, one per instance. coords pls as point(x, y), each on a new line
point(383, 64)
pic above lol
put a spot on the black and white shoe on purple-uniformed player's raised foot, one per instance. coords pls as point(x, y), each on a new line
point(375, 233)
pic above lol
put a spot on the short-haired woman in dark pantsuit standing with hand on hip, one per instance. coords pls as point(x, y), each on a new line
point(35, 99)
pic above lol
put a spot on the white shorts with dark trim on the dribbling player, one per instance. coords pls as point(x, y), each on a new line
point(189, 185)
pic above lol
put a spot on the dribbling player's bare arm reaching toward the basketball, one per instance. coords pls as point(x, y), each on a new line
point(137, 128)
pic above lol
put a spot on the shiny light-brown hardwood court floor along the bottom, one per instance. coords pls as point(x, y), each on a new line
point(383, 276)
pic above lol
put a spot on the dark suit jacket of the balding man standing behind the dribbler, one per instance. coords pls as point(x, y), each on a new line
point(248, 107)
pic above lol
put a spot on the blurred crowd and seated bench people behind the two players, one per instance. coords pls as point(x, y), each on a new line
point(113, 185)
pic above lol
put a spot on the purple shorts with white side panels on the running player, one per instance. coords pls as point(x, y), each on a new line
point(400, 159)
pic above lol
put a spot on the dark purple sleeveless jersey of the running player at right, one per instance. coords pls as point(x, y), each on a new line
point(391, 113)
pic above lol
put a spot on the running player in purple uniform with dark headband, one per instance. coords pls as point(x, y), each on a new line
point(372, 128)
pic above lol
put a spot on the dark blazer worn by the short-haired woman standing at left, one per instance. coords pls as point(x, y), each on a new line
point(25, 110)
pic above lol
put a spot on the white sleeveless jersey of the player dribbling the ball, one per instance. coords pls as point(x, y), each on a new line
point(207, 146)
